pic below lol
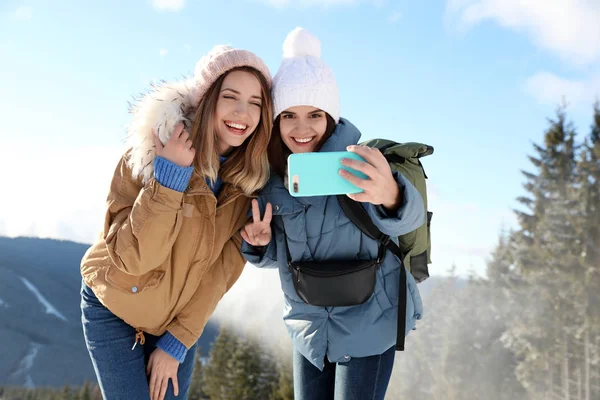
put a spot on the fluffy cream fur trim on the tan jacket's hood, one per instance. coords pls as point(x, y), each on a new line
point(157, 112)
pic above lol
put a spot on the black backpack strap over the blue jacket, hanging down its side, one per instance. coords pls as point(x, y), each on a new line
point(359, 216)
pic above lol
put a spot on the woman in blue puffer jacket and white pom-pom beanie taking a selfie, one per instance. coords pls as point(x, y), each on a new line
point(340, 352)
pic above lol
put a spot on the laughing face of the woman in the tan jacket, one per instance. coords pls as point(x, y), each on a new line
point(238, 109)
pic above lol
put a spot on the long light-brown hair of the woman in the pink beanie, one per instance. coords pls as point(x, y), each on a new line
point(247, 166)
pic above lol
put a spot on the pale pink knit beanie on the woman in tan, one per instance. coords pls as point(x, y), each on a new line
point(218, 61)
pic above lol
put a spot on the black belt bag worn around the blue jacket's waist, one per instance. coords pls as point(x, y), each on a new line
point(335, 283)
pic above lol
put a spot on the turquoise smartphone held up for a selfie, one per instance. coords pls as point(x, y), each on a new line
point(317, 174)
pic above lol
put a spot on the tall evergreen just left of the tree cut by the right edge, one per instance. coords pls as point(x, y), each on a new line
point(546, 256)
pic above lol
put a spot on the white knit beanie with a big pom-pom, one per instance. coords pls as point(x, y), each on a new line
point(303, 79)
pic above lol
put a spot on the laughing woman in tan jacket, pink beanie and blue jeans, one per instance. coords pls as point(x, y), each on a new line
point(170, 247)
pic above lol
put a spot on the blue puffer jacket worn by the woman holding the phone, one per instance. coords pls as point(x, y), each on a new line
point(318, 230)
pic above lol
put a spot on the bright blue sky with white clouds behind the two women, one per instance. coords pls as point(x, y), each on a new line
point(474, 78)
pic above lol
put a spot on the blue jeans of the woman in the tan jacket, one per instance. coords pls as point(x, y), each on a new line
point(121, 372)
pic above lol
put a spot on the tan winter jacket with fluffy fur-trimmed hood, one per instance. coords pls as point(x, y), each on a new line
point(164, 258)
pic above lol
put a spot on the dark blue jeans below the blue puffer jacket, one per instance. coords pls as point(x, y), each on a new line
point(364, 378)
